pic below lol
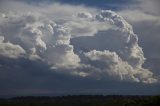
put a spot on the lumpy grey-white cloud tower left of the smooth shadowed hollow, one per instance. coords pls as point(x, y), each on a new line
point(42, 40)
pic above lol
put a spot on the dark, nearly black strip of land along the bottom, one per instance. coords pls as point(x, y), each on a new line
point(83, 101)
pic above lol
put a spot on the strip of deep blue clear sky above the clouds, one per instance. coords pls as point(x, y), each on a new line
point(103, 4)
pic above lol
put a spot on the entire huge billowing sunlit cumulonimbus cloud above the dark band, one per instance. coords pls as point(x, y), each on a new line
point(111, 48)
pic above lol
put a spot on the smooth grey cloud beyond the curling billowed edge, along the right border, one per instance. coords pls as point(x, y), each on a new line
point(145, 19)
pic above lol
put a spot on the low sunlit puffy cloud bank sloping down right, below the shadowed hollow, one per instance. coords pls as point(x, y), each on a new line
point(113, 65)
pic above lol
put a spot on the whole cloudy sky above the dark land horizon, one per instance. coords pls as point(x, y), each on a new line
point(79, 47)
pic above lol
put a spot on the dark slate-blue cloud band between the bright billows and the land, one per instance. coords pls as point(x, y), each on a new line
point(22, 77)
